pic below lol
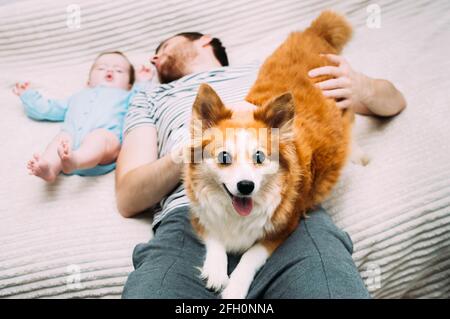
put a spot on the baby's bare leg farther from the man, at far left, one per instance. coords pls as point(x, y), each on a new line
point(48, 165)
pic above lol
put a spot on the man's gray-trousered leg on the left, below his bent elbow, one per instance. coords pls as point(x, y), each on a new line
point(165, 267)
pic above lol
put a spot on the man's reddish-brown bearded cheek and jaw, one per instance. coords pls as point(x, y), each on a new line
point(177, 64)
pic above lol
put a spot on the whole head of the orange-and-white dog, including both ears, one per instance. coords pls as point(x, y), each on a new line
point(239, 164)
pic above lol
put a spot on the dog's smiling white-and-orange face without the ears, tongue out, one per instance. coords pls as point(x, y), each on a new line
point(241, 161)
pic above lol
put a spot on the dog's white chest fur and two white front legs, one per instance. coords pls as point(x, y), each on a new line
point(229, 232)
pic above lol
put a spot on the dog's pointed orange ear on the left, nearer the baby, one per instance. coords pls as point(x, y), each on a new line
point(209, 108)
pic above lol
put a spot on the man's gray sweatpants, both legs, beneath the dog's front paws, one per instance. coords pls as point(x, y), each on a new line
point(314, 262)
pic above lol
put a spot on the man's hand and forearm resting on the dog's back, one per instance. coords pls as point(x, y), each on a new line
point(365, 95)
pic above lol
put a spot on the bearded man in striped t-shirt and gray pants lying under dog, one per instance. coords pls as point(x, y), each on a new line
point(317, 263)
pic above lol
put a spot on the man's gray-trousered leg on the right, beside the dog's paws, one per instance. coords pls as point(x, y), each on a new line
point(314, 262)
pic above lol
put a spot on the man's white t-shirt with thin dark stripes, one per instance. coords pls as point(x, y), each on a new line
point(168, 108)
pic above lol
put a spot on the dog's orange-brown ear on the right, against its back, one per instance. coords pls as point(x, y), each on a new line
point(277, 113)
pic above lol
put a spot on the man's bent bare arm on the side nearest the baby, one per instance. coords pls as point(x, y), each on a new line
point(142, 180)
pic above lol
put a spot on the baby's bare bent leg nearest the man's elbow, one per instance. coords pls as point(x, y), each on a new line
point(98, 147)
